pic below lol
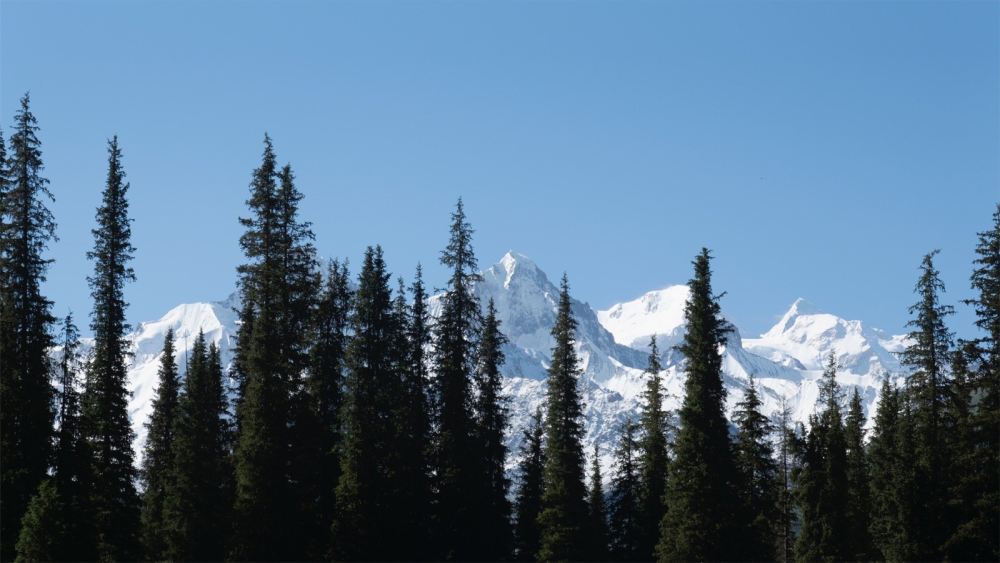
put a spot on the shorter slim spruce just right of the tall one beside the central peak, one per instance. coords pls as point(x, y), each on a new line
point(492, 418)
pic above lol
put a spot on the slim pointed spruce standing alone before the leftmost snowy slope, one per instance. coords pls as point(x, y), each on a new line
point(157, 460)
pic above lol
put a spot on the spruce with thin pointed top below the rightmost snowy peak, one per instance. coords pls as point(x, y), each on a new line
point(822, 479)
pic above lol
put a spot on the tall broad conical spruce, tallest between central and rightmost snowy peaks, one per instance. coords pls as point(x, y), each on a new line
point(701, 499)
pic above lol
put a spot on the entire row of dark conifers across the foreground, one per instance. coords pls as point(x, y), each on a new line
point(353, 426)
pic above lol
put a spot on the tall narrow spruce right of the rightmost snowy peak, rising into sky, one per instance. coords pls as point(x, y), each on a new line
point(927, 386)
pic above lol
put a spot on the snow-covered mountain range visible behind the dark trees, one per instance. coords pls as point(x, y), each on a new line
point(613, 346)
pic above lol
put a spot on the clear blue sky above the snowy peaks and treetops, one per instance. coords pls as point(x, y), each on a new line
point(819, 148)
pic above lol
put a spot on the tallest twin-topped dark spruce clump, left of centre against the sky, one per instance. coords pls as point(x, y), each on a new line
point(278, 285)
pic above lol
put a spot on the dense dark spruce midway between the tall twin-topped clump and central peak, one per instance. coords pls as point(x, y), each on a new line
point(364, 523)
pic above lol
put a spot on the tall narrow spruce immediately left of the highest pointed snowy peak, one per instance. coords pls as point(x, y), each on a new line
point(454, 451)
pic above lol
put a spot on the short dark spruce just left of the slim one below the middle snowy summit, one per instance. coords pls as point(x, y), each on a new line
point(625, 515)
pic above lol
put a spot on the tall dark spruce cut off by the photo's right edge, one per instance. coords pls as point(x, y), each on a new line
point(976, 536)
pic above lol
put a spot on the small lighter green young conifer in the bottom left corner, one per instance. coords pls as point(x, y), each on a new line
point(43, 529)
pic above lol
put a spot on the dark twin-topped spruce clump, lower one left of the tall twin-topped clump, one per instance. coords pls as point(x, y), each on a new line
point(195, 508)
